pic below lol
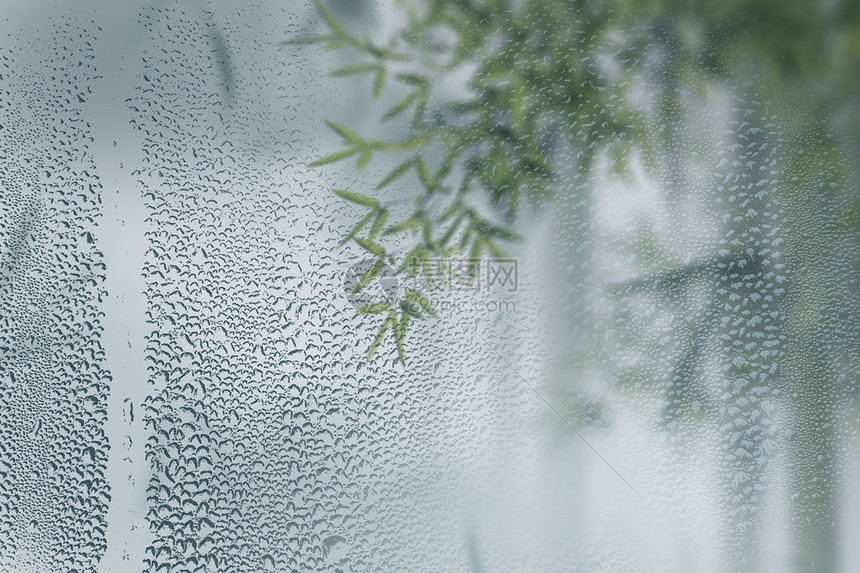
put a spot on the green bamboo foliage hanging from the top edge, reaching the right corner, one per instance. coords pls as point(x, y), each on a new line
point(538, 88)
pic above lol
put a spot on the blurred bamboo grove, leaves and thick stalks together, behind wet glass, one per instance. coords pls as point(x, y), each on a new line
point(695, 164)
